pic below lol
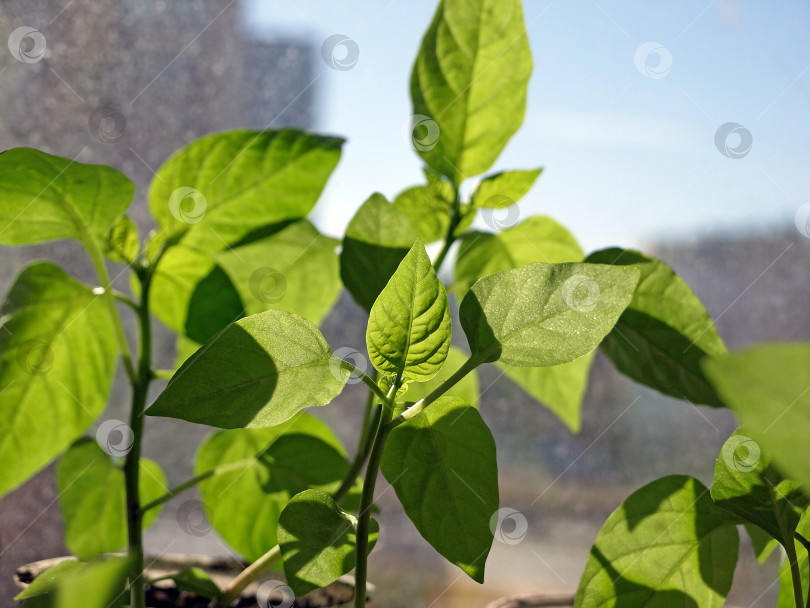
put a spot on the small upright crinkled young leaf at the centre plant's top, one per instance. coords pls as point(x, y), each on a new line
point(408, 332)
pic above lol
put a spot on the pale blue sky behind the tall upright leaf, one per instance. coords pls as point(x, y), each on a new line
point(628, 159)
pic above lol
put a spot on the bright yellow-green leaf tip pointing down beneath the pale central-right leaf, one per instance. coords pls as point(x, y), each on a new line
point(560, 388)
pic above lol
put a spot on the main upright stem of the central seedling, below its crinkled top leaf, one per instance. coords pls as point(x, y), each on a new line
point(366, 503)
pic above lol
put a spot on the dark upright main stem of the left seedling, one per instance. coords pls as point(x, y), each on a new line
point(140, 390)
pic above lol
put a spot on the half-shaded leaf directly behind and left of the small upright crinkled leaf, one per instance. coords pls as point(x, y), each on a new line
point(376, 240)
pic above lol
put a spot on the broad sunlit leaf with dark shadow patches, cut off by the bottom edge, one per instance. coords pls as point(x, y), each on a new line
point(667, 545)
